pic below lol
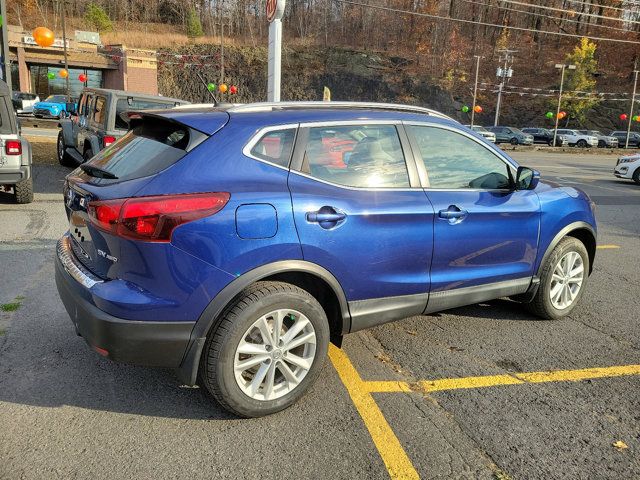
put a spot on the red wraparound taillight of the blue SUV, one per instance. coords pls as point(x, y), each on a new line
point(154, 218)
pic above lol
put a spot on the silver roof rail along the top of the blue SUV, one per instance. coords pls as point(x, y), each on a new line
point(269, 106)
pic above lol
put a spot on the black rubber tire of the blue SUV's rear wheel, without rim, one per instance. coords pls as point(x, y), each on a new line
point(217, 361)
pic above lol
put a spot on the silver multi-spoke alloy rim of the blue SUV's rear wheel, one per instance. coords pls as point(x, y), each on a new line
point(275, 354)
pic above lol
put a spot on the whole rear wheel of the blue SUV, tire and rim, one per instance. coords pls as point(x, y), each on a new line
point(266, 351)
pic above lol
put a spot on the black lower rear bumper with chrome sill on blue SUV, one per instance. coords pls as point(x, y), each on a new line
point(159, 344)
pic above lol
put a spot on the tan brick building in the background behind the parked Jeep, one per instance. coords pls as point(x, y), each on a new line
point(109, 66)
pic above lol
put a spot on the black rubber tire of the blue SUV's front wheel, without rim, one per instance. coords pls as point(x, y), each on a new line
point(541, 304)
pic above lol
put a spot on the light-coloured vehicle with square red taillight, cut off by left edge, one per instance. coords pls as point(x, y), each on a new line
point(15, 152)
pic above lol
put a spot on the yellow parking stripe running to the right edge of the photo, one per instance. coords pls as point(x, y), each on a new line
point(427, 386)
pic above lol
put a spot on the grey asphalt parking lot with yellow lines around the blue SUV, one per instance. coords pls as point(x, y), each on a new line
point(485, 391)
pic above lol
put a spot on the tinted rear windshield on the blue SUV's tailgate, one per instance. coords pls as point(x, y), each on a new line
point(148, 148)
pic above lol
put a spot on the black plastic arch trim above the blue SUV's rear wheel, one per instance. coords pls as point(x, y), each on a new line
point(188, 370)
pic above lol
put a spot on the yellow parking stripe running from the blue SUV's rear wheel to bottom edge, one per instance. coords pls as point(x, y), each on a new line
point(393, 455)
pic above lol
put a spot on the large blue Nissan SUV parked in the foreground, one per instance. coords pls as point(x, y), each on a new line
point(234, 243)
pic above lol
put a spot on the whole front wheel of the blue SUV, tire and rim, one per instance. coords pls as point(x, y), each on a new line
point(562, 281)
